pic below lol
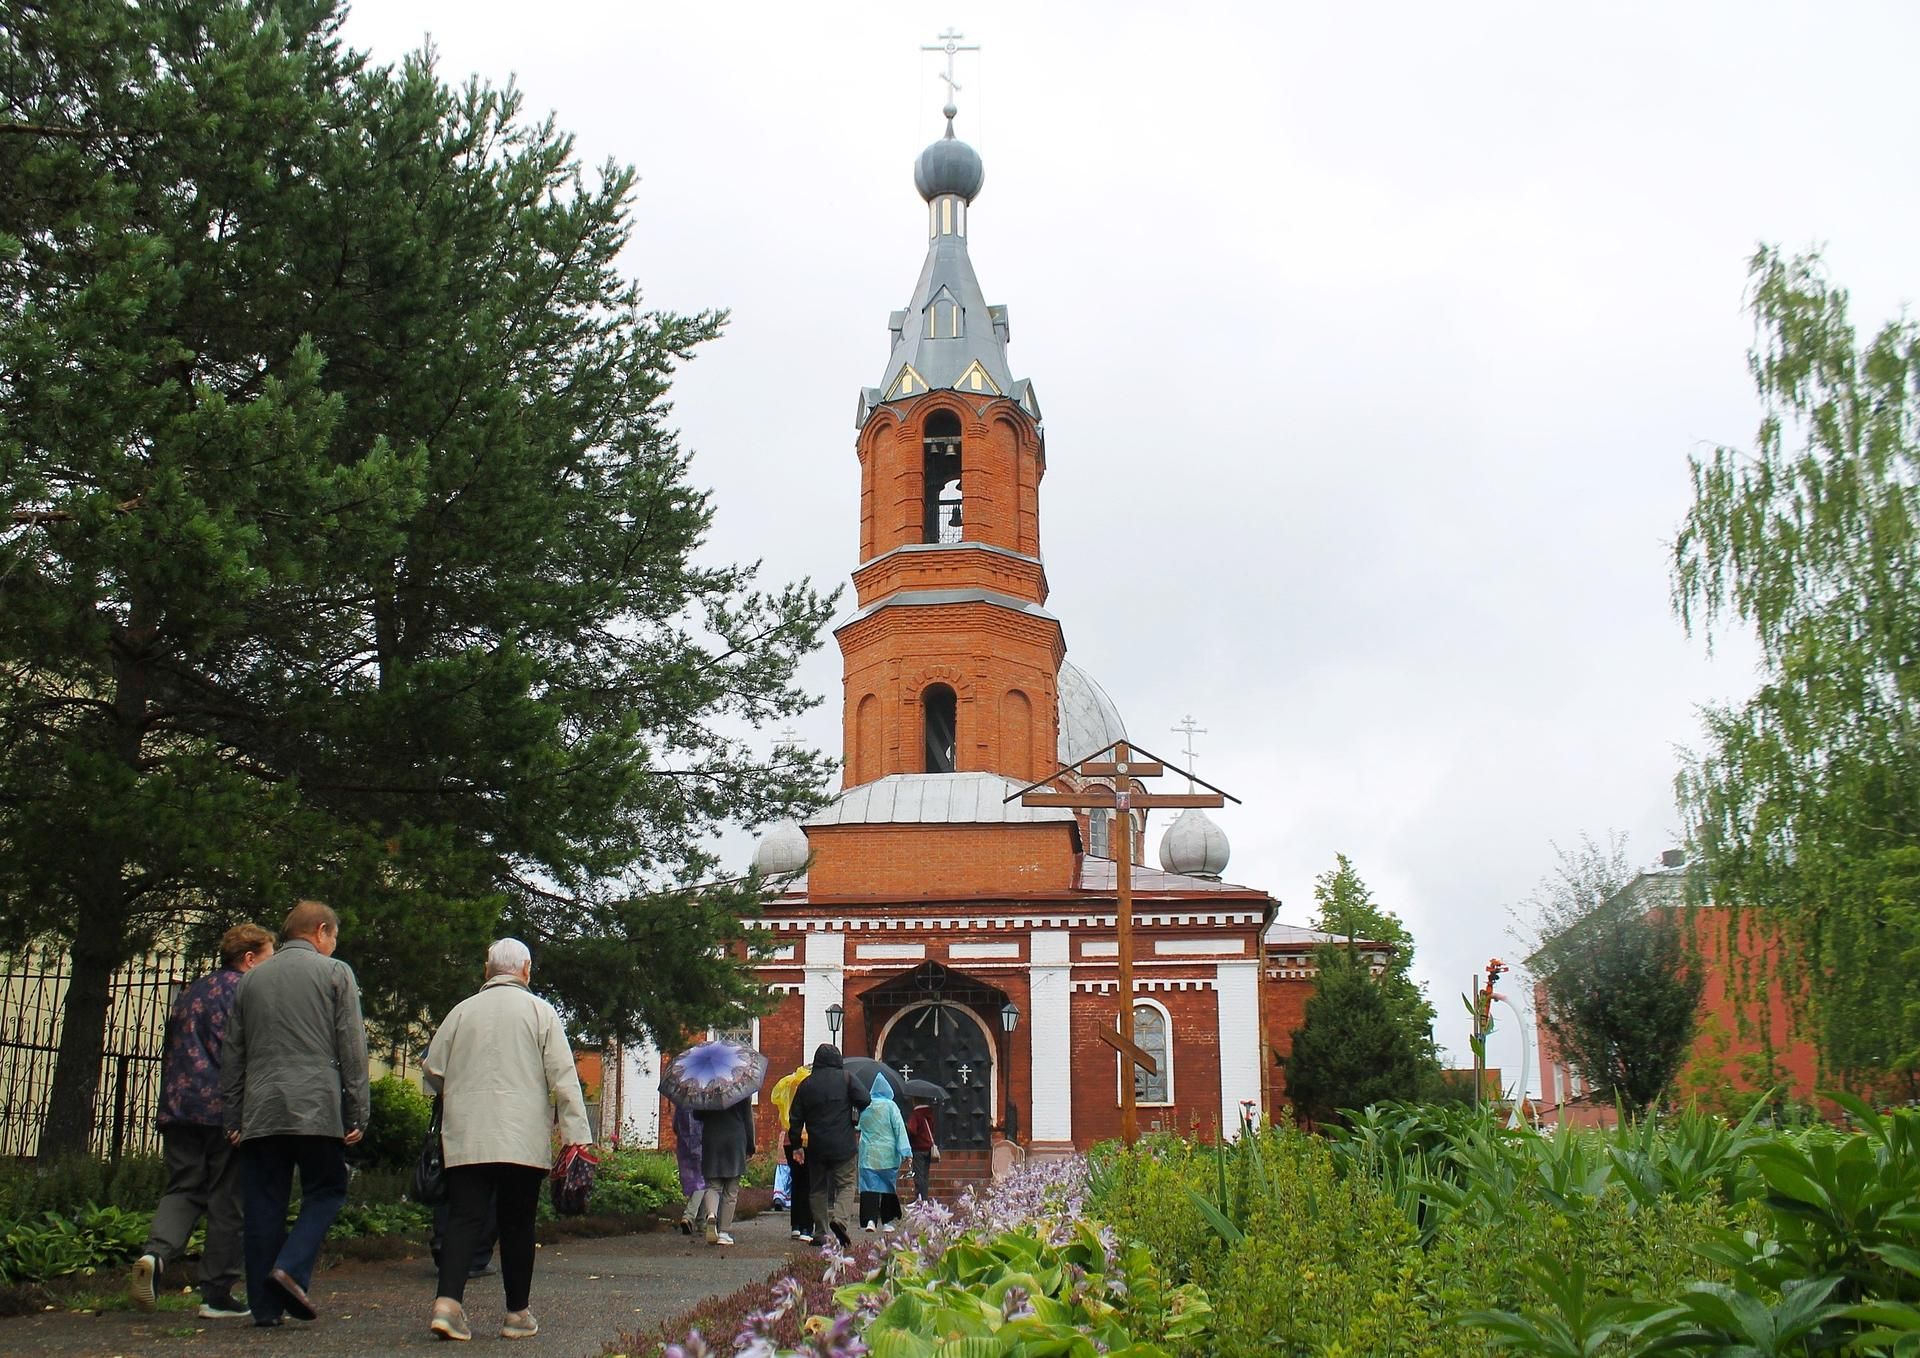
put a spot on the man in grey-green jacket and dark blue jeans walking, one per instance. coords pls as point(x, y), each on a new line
point(295, 1098)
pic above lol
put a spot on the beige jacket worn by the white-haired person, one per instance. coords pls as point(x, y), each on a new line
point(504, 1071)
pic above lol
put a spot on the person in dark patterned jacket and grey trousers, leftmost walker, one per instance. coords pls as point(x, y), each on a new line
point(203, 1165)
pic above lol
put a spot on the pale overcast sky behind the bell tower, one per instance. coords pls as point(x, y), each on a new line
point(1372, 345)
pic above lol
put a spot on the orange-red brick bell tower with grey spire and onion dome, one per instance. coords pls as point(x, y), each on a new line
point(951, 664)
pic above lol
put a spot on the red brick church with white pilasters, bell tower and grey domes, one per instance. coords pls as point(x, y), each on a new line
point(926, 915)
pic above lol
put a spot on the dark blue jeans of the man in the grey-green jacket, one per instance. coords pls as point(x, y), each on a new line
point(270, 1167)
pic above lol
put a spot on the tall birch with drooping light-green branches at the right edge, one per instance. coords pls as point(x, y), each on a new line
point(1806, 800)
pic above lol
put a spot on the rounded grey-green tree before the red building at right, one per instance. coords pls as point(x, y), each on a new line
point(1620, 984)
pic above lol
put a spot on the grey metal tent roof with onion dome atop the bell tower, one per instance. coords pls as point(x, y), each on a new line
point(948, 337)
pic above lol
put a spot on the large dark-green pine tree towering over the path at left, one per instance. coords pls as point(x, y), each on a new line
point(347, 550)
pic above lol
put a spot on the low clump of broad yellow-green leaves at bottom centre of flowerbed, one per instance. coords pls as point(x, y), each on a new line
point(1024, 1296)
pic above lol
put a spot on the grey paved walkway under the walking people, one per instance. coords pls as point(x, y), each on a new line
point(587, 1292)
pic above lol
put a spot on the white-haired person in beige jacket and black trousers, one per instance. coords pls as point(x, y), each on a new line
point(504, 1073)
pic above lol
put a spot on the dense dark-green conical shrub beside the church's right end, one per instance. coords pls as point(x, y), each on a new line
point(1353, 1050)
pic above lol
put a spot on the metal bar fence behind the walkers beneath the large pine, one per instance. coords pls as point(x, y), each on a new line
point(34, 986)
